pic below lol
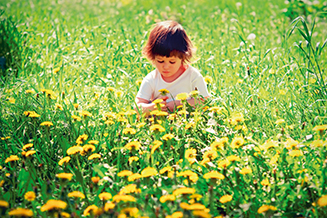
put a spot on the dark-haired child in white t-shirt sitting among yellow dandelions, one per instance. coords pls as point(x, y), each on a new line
point(170, 50)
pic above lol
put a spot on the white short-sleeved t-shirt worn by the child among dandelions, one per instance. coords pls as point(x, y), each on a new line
point(187, 82)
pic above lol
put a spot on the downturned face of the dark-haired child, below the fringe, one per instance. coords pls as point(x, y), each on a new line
point(170, 68)
